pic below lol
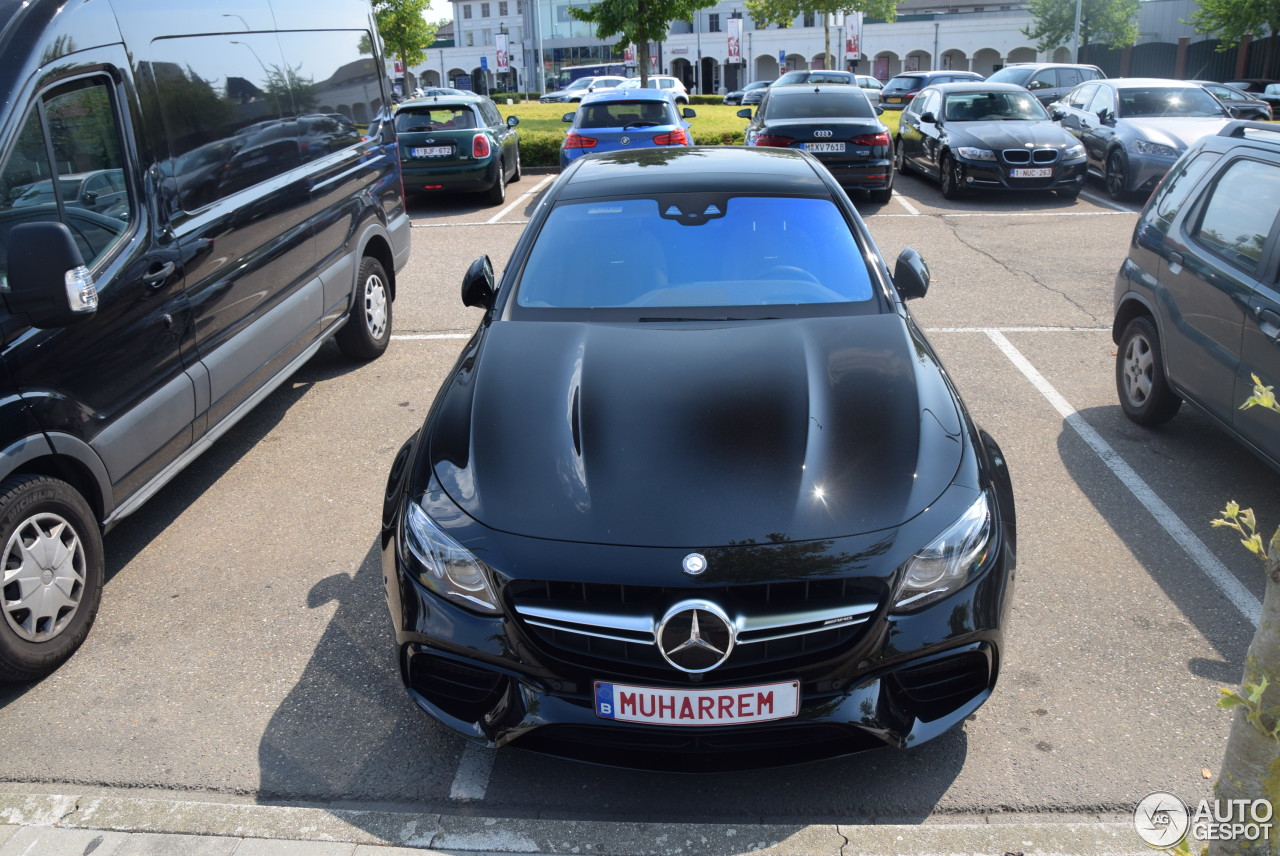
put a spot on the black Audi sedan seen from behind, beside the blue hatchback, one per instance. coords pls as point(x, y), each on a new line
point(835, 123)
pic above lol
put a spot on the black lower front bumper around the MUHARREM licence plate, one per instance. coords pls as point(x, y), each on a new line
point(899, 681)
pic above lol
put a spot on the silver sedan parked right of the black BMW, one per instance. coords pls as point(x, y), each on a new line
point(1133, 130)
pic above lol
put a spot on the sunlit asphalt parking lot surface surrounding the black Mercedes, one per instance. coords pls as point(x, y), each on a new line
point(244, 652)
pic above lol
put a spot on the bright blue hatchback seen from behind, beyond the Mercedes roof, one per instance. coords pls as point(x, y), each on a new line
point(623, 120)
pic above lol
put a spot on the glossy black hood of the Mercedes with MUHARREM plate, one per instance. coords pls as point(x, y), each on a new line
point(697, 434)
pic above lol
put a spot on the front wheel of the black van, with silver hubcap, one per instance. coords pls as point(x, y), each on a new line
point(52, 560)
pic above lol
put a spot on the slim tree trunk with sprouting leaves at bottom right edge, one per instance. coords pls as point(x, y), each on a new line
point(1251, 766)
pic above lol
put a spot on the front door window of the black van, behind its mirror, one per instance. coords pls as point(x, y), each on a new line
point(84, 186)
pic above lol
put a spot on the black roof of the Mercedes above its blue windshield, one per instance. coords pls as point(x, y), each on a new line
point(694, 170)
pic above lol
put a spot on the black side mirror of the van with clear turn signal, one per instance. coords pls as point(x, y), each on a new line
point(48, 280)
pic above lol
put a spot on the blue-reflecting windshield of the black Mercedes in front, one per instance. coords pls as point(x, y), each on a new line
point(696, 250)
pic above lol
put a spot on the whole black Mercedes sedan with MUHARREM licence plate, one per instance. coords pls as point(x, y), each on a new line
point(689, 509)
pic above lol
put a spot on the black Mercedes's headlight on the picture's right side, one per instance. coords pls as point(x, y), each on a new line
point(949, 561)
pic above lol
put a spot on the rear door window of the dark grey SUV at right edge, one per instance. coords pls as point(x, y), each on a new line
point(1241, 213)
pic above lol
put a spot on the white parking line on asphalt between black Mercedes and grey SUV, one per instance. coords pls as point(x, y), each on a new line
point(1227, 583)
